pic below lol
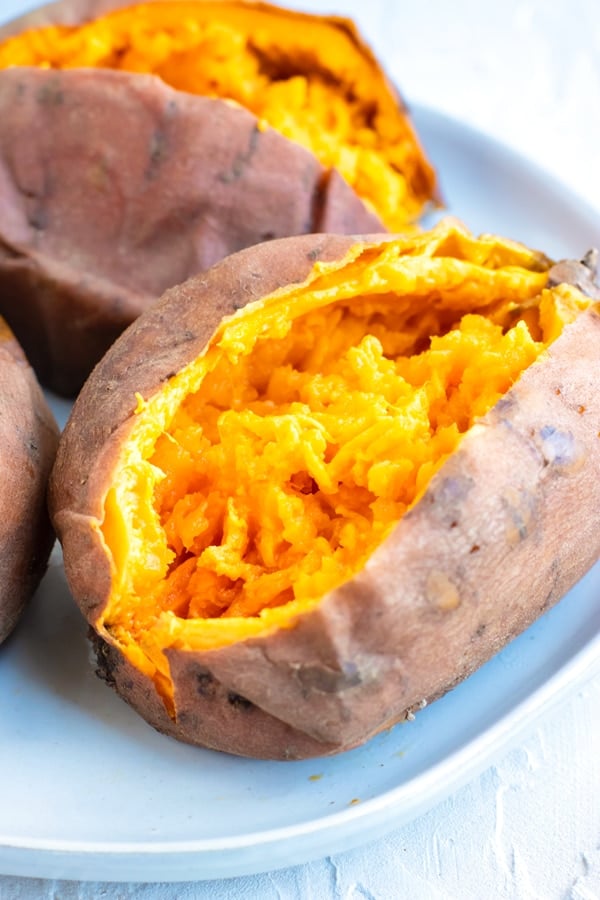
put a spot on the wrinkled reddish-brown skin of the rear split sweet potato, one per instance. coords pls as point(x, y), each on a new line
point(100, 217)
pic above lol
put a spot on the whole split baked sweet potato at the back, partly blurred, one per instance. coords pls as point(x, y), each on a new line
point(223, 124)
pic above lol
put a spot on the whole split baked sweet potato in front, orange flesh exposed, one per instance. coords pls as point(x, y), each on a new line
point(320, 484)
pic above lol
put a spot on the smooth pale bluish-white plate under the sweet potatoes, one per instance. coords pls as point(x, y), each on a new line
point(89, 791)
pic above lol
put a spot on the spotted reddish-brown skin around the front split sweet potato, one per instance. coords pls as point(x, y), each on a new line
point(506, 527)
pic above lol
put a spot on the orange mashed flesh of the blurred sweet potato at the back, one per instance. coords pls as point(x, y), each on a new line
point(301, 76)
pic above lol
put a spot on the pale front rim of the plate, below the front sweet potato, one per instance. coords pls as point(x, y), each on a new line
point(242, 855)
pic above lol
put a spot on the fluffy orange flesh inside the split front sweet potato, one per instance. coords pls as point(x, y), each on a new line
point(266, 473)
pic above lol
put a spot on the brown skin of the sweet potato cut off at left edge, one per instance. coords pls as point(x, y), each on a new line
point(28, 441)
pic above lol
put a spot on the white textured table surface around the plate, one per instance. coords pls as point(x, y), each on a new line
point(527, 73)
